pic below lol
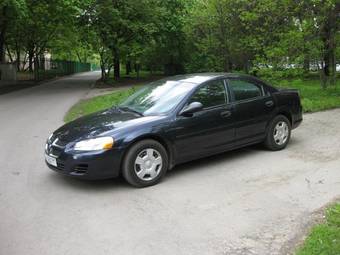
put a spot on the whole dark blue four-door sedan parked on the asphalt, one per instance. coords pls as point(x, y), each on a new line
point(172, 121)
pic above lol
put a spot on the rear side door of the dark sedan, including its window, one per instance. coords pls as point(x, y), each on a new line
point(253, 108)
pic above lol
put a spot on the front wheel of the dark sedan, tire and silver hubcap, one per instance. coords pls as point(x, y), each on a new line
point(142, 166)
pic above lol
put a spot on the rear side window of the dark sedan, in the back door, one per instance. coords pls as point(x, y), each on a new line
point(243, 90)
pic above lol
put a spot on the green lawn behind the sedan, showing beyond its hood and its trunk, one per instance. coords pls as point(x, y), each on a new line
point(314, 98)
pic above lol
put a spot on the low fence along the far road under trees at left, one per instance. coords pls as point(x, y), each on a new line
point(48, 69)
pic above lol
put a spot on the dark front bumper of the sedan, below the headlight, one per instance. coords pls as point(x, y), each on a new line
point(88, 165)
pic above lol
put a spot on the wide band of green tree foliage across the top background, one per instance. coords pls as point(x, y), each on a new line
point(273, 38)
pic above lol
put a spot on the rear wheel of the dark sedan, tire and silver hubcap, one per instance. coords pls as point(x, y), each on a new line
point(278, 133)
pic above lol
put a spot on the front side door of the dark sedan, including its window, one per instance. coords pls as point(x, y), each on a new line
point(209, 130)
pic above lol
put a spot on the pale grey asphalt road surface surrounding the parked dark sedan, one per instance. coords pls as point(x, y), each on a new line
point(249, 201)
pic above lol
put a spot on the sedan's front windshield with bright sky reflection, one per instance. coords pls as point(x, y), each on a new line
point(158, 97)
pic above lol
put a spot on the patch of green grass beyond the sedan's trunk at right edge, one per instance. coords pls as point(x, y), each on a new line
point(314, 98)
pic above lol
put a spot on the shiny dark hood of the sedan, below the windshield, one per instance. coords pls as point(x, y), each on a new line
point(99, 123)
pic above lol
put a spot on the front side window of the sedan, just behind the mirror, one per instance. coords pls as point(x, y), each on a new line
point(211, 94)
